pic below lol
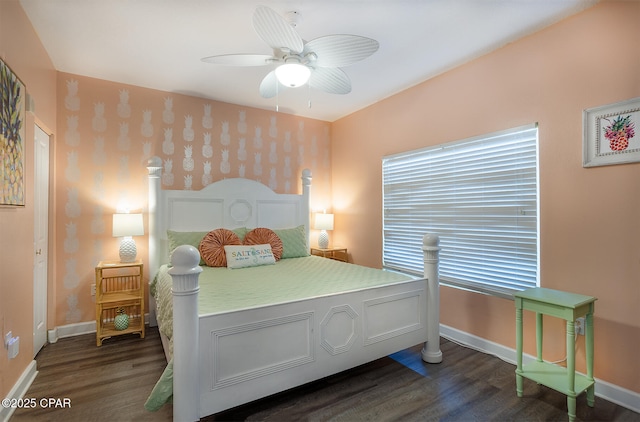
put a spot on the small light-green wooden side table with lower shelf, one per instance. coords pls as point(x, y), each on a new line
point(568, 306)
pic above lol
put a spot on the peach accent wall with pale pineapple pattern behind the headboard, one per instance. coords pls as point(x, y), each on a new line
point(108, 131)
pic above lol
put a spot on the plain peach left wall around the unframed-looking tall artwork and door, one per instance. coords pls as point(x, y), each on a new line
point(22, 51)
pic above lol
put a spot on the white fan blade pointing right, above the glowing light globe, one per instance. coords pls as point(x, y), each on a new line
point(340, 50)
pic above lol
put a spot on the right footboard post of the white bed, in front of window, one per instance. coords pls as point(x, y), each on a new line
point(430, 247)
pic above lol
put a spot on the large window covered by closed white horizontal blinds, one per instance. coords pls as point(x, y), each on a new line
point(480, 196)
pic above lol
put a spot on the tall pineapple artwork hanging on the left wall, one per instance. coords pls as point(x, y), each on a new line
point(12, 134)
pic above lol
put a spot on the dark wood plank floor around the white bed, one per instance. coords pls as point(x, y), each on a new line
point(112, 382)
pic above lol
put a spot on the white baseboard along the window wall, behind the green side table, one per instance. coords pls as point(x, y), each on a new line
point(610, 392)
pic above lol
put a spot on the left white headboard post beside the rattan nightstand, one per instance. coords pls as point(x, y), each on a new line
point(154, 167)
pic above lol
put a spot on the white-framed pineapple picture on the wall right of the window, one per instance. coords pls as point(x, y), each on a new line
point(610, 134)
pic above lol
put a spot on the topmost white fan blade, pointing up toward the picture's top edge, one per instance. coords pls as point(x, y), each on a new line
point(276, 31)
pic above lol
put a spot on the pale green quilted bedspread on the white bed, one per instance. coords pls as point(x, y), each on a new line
point(223, 290)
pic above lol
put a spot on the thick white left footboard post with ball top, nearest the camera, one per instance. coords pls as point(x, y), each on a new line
point(186, 348)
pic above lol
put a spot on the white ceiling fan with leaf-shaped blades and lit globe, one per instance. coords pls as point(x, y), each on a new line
point(317, 62)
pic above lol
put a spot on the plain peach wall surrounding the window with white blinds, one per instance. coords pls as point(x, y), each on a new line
point(590, 218)
